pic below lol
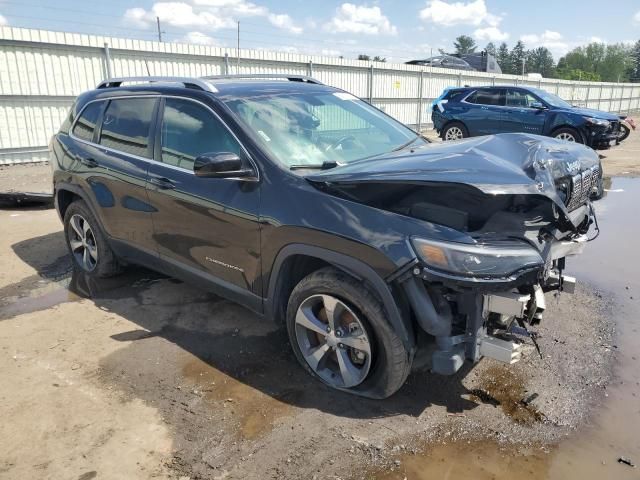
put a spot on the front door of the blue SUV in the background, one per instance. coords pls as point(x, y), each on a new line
point(520, 116)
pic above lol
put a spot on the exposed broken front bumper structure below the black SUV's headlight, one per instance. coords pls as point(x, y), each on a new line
point(464, 315)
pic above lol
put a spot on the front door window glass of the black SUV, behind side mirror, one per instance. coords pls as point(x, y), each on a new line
point(189, 130)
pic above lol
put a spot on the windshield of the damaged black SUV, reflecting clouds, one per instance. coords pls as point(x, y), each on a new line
point(319, 128)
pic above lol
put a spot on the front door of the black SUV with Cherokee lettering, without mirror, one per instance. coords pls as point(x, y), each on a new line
point(206, 227)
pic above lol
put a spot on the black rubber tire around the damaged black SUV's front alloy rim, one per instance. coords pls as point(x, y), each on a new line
point(389, 364)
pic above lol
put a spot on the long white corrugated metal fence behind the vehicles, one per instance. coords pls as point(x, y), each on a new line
point(42, 71)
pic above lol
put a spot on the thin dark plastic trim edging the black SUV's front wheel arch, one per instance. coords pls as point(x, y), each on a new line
point(357, 269)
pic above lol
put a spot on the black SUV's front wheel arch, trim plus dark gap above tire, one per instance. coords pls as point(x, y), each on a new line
point(295, 261)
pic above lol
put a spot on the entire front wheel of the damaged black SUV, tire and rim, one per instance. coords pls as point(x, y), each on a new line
point(339, 333)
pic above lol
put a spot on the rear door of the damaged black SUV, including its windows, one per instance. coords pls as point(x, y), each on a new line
point(113, 162)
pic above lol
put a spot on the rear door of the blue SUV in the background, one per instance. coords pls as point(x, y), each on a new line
point(485, 111)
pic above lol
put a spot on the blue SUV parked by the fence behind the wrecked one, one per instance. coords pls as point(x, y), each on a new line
point(472, 111)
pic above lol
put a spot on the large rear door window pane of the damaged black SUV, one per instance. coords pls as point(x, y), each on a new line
point(127, 124)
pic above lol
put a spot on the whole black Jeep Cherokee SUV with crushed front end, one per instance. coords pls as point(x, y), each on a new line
point(311, 207)
